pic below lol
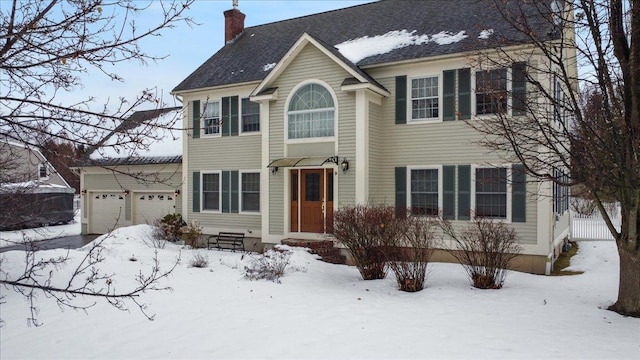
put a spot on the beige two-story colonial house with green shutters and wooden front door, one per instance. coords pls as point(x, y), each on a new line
point(294, 119)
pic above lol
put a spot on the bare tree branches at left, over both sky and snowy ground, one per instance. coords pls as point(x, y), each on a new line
point(46, 47)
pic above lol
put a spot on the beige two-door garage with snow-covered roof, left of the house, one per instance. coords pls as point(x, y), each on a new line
point(123, 191)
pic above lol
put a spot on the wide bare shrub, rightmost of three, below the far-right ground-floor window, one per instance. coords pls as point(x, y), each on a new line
point(485, 248)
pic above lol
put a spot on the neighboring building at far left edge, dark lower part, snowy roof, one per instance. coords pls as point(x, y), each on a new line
point(32, 192)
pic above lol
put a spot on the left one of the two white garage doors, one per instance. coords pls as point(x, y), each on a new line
point(107, 212)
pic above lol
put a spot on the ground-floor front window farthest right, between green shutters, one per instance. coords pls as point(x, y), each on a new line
point(491, 192)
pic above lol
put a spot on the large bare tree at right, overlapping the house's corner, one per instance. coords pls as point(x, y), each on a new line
point(586, 122)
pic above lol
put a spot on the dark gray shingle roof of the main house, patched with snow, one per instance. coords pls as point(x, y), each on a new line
point(244, 59)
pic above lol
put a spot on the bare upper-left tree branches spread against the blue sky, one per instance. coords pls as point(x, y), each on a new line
point(45, 49)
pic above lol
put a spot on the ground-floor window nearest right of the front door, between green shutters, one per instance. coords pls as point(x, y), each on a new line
point(424, 192)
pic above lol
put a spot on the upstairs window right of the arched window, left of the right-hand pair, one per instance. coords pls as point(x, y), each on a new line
point(424, 98)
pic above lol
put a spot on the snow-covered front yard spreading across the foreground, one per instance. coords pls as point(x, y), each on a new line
point(324, 311)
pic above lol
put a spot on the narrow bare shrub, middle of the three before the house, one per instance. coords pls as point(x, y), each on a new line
point(409, 256)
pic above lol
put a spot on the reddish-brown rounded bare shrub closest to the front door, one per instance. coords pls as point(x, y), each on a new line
point(366, 230)
